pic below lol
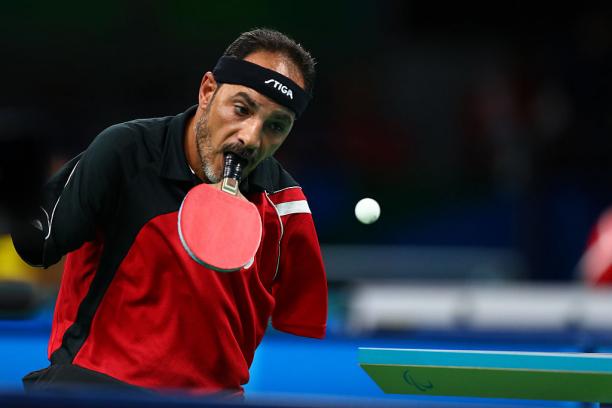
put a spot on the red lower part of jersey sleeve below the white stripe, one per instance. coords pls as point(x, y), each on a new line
point(300, 288)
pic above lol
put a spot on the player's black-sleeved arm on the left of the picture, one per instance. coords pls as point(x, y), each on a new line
point(79, 200)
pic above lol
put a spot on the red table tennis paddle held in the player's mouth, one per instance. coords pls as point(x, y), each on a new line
point(217, 228)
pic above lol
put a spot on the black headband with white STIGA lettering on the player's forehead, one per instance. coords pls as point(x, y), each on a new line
point(275, 86)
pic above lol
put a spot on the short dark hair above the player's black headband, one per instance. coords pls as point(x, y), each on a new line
point(265, 39)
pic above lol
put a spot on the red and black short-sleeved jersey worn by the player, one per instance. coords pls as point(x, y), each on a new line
point(133, 305)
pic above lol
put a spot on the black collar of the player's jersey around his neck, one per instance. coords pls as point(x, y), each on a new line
point(174, 164)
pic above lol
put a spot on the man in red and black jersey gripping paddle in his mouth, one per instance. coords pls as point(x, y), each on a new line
point(133, 308)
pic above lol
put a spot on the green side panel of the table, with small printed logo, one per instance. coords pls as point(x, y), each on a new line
point(491, 383)
